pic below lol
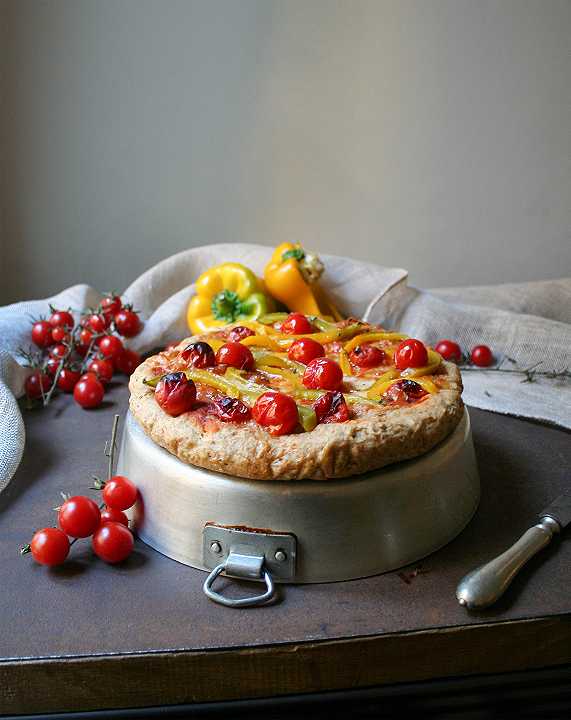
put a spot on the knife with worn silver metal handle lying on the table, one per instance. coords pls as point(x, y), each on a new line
point(483, 586)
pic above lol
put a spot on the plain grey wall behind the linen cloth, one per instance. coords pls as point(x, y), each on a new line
point(429, 134)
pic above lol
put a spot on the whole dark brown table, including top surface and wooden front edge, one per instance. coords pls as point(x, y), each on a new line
point(89, 636)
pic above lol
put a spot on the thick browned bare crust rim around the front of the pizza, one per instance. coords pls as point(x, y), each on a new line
point(377, 438)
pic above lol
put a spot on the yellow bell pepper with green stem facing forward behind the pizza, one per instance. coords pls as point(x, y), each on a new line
point(224, 294)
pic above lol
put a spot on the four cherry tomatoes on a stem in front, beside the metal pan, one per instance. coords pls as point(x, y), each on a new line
point(80, 517)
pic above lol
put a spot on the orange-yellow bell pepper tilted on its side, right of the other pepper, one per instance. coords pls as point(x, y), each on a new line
point(291, 277)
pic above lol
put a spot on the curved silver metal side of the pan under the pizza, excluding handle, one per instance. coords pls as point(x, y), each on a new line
point(345, 529)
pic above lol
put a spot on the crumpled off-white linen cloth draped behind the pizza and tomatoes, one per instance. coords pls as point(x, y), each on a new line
point(529, 323)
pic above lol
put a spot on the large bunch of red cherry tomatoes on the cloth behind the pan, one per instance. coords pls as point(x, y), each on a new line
point(82, 358)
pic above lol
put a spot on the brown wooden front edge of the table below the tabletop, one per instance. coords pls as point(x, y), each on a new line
point(178, 677)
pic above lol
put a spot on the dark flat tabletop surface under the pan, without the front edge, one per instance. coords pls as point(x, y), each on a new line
point(152, 604)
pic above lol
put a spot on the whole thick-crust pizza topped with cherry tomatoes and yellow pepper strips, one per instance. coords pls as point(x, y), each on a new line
point(296, 397)
